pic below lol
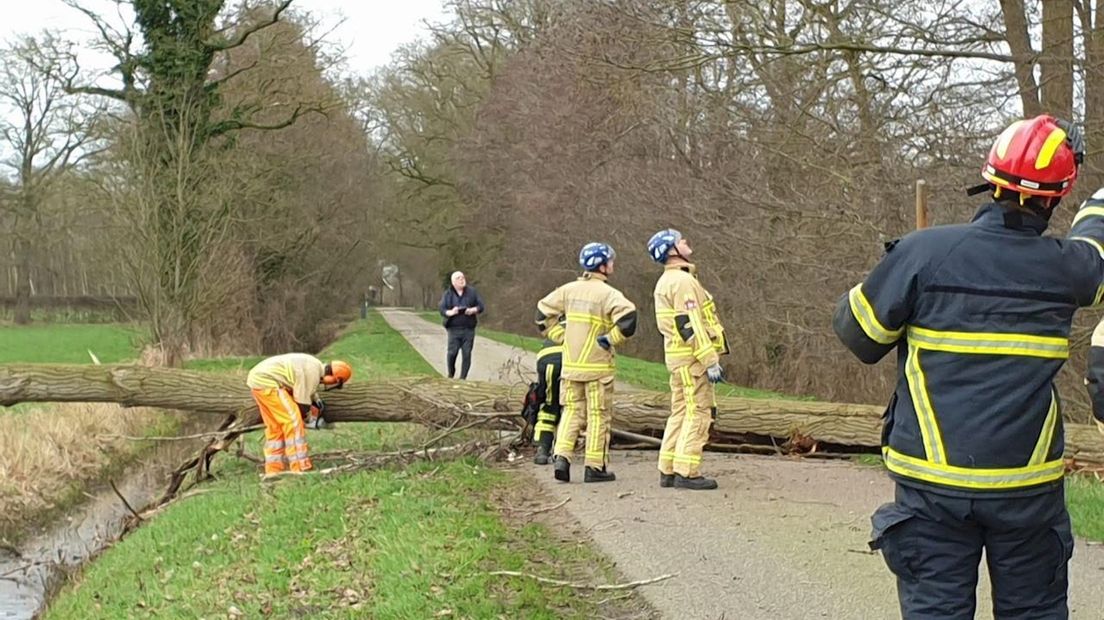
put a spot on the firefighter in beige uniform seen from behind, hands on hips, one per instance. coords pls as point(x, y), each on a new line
point(598, 319)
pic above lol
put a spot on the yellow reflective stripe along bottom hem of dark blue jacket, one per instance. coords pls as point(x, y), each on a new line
point(973, 478)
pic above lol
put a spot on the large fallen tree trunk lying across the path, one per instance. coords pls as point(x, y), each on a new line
point(441, 403)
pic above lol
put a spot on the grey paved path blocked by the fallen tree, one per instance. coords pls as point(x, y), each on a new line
point(782, 539)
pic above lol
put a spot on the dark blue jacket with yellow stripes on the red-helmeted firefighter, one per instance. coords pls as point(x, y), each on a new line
point(980, 315)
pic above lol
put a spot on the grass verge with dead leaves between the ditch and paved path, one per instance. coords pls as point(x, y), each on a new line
point(413, 542)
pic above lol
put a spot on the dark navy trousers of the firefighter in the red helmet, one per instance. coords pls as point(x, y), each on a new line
point(933, 544)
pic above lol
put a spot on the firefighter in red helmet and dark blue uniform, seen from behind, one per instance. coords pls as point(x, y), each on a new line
point(980, 317)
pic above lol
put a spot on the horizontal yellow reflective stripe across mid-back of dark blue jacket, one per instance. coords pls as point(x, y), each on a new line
point(986, 344)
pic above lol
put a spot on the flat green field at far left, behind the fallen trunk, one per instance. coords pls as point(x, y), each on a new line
point(68, 344)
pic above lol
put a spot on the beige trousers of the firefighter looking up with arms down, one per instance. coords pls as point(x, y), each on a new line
point(694, 402)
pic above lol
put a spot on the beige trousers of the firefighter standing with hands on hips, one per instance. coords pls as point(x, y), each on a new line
point(586, 404)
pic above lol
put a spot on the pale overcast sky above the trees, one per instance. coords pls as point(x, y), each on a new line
point(371, 31)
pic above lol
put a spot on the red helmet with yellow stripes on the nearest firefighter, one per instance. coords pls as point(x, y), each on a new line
point(1036, 157)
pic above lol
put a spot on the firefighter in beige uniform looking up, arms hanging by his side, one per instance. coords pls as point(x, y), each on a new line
point(694, 341)
